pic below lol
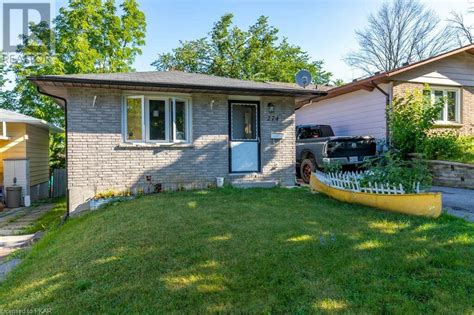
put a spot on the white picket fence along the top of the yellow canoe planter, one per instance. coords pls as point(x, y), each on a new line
point(351, 181)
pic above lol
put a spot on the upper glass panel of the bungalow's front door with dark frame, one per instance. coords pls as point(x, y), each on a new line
point(244, 121)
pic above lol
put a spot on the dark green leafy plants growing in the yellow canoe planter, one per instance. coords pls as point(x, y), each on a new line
point(392, 169)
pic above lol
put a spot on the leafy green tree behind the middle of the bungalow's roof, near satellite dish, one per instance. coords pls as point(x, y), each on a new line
point(255, 54)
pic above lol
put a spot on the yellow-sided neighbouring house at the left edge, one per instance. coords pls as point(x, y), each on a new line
point(24, 153)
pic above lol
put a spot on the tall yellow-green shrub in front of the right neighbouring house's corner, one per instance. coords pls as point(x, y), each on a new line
point(410, 119)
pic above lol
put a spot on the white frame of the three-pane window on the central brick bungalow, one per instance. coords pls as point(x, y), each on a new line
point(170, 119)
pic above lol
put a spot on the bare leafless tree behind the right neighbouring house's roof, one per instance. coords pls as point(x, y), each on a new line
point(401, 31)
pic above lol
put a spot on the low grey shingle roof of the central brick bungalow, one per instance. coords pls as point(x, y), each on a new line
point(177, 79)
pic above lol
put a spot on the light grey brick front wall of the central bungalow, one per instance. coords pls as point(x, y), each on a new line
point(97, 162)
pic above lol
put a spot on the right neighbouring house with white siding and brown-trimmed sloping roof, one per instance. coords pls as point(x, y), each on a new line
point(358, 108)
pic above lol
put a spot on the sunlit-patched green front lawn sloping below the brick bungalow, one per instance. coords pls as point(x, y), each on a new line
point(255, 251)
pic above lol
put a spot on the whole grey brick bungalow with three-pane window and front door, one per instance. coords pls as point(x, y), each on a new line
point(173, 130)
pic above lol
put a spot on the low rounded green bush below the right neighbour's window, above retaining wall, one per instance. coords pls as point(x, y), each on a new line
point(442, 145)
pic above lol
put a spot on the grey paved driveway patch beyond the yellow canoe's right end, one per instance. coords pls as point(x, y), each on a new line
point(458, 202)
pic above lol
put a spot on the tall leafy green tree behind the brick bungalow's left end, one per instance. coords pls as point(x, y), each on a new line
point(89, 36)
